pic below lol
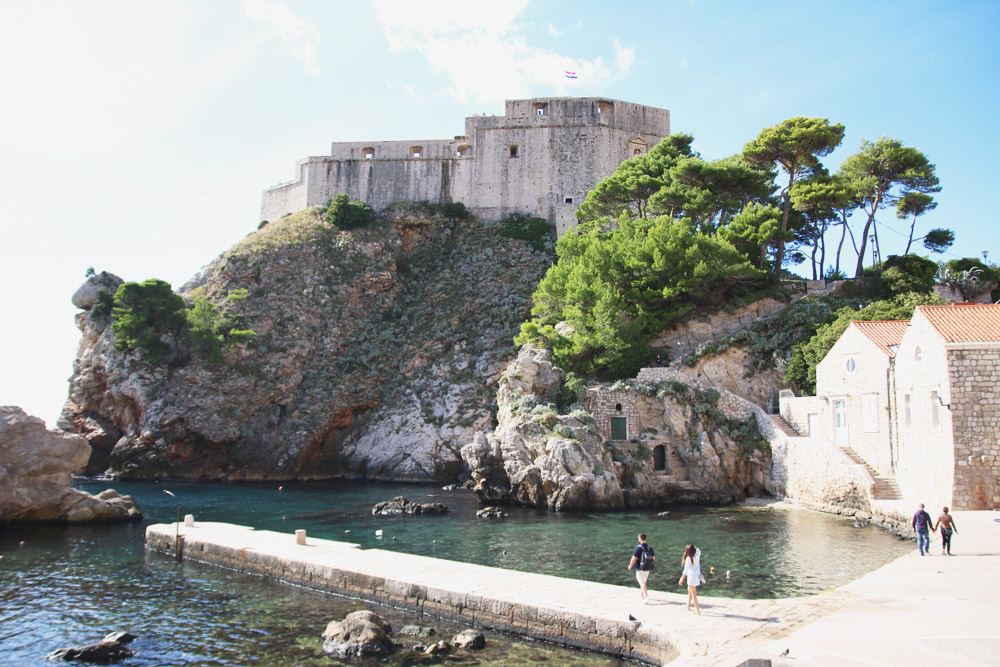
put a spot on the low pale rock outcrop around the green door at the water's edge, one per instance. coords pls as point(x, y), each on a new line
point(540, 458)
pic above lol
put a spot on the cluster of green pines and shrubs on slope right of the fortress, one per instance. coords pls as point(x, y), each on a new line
point(669, 234)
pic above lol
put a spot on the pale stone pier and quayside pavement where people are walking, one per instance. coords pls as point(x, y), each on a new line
point(931, 610)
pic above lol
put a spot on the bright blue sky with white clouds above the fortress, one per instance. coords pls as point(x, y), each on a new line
point(137, 137)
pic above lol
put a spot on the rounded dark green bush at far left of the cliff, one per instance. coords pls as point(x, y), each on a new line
point(143, 312)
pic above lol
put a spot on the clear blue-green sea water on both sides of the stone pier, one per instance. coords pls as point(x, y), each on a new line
point(70, 585)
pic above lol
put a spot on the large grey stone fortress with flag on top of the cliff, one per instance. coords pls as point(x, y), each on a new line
point(540, 158)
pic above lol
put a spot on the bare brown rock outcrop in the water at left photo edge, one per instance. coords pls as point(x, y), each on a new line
point(36, 468)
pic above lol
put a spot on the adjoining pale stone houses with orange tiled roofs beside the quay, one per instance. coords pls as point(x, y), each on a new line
point(915, 403)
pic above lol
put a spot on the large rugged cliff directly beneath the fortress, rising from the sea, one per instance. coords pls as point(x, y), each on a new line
point(376, 353)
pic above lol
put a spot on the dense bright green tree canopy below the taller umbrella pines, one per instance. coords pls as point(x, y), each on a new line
point(610, 292)
